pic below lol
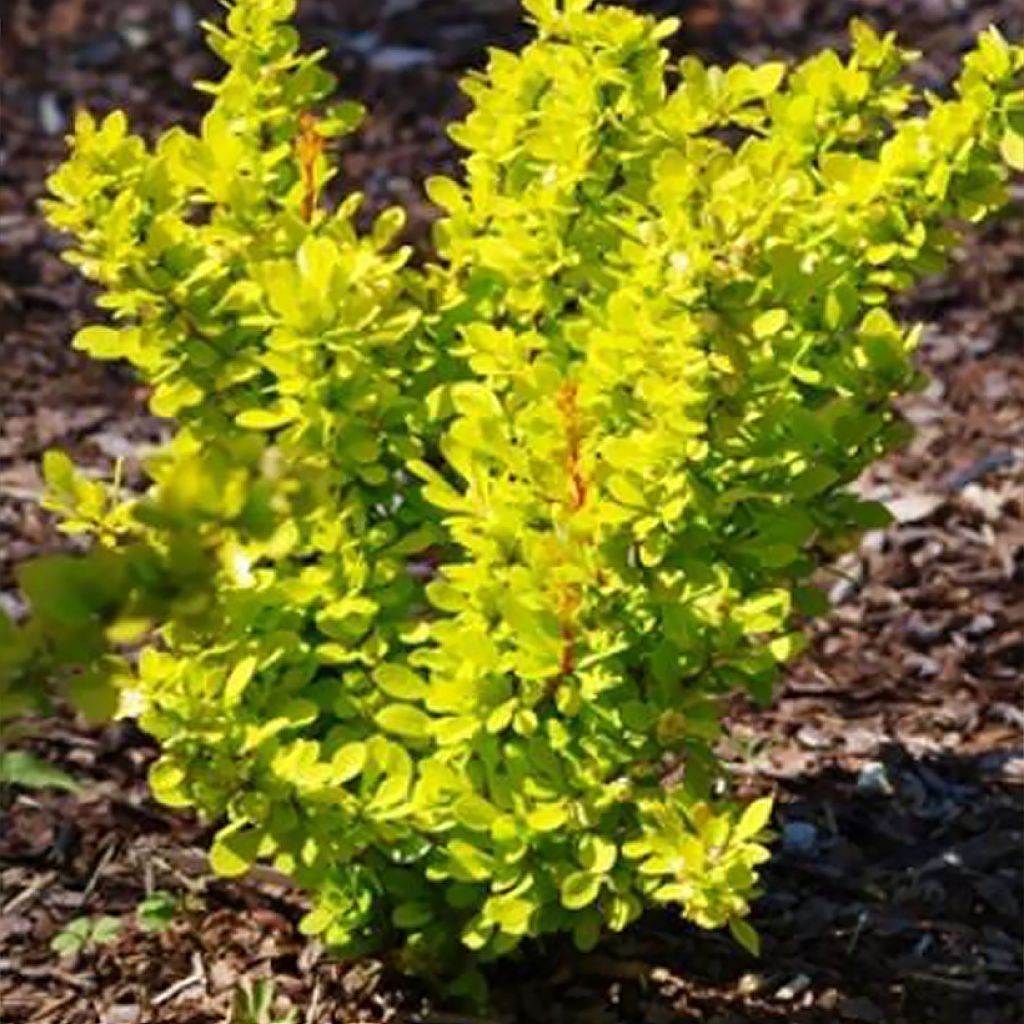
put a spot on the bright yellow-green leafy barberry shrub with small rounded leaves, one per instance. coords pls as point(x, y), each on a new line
point(435, 596)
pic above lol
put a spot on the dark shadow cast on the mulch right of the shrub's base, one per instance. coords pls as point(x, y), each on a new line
point(894, 898)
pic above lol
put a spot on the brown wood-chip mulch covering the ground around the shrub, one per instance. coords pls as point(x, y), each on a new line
point(895, 748)
